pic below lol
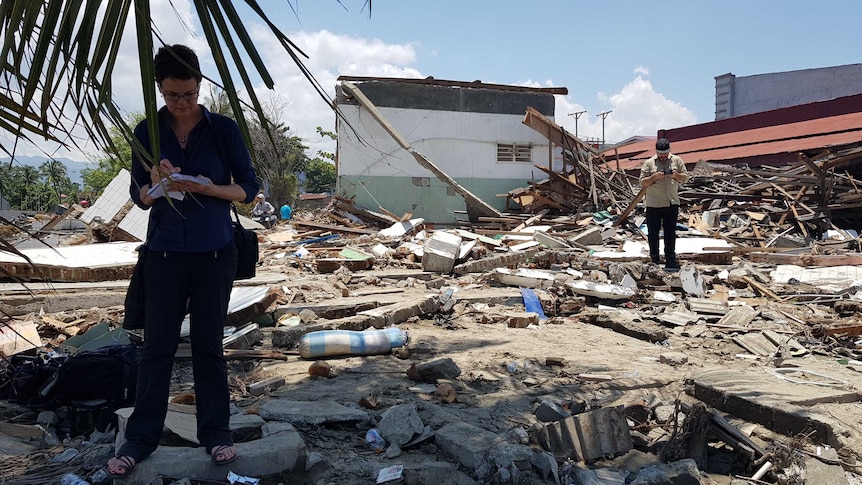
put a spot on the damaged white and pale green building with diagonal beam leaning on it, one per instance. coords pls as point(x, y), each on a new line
point(471, 131)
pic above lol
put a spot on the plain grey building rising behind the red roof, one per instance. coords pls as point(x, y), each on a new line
point(739, 96)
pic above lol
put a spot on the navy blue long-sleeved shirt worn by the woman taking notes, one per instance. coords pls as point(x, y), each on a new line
point(215, 149)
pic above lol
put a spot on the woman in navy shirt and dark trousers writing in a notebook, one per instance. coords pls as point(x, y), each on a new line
point(191, 258)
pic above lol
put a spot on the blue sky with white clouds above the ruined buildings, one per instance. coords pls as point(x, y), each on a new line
point(652, 63)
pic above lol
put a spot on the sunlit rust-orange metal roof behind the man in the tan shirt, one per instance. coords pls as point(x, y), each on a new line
point(780, 142)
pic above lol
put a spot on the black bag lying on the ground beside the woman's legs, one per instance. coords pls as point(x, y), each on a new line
point(109, 373)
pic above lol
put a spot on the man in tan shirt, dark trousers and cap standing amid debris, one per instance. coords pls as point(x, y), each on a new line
point(661, 175)
